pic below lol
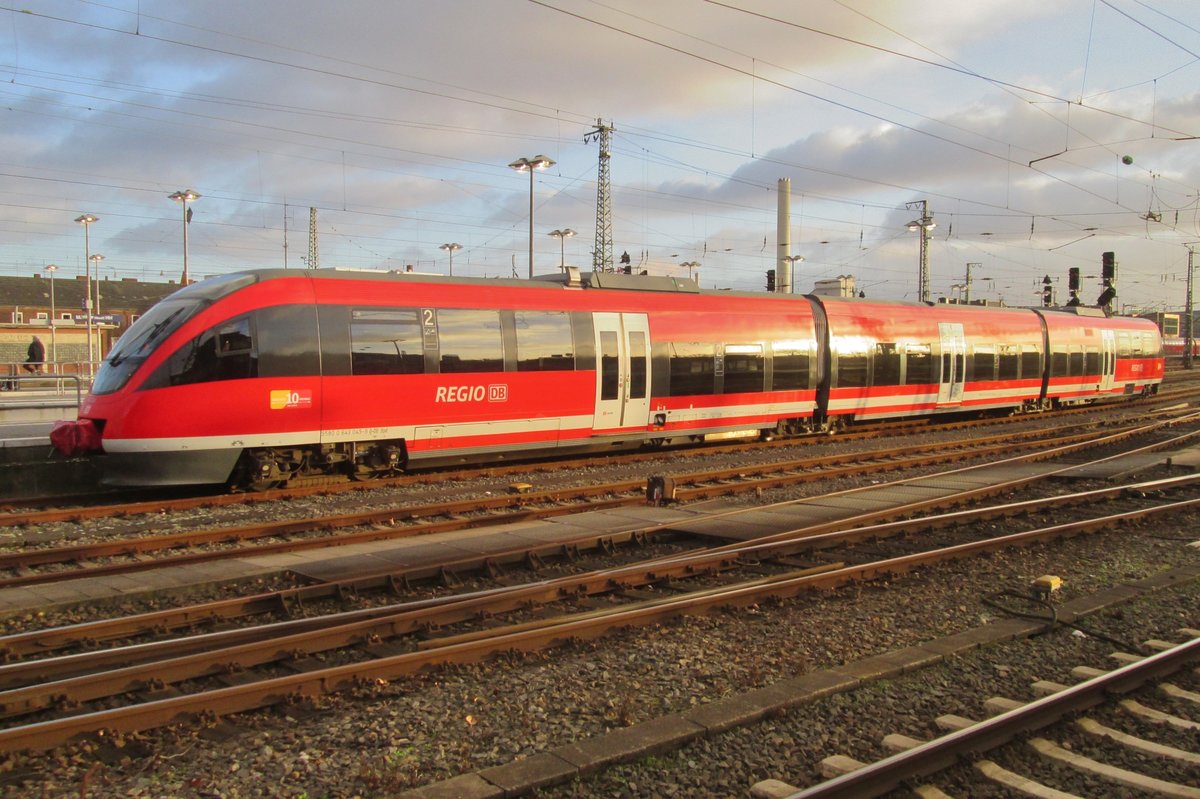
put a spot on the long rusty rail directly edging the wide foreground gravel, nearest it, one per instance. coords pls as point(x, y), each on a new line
point(521, 638)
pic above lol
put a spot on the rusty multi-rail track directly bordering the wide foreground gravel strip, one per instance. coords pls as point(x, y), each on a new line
point(154, 674)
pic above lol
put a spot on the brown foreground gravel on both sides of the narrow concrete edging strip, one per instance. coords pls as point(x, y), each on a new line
point(418, 731)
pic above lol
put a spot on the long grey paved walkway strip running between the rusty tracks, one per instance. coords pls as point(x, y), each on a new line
point(718, 520)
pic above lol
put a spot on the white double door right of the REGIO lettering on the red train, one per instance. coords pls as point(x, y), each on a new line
point(623, 371)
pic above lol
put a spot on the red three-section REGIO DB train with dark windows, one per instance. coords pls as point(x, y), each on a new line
point(263, 377)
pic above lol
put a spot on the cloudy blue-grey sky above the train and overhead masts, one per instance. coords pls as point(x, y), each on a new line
point(1040, 135)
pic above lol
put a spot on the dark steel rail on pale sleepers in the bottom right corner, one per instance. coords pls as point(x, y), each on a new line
point(943, 753)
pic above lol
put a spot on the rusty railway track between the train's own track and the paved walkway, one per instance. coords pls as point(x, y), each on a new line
point(131, 555)
